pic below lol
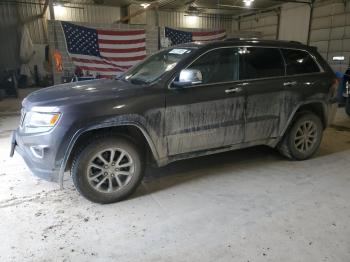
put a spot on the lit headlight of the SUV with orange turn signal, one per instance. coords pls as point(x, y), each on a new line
point(36, 122)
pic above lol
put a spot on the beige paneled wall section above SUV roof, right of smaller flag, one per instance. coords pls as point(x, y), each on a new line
point(266, 24)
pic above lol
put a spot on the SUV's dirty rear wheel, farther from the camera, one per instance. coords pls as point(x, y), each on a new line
point(293, 146)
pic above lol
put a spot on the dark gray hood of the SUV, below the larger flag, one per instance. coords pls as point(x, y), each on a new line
point(77, 92)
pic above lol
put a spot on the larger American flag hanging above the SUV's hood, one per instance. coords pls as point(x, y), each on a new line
point(104, 52)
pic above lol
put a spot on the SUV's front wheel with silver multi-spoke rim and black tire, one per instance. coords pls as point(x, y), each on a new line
point(111, 184)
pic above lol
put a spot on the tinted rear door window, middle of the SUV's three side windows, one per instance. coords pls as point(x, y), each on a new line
point(259, 62)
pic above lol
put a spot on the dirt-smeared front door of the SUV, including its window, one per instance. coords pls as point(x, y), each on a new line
point(209, 114)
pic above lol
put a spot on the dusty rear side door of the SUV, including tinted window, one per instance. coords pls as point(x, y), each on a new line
point(263, 77)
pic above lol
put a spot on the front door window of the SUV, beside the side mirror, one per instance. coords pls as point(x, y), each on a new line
point(219, 65)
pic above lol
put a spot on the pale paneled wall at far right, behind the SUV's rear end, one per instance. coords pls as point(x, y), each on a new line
point(330, 31)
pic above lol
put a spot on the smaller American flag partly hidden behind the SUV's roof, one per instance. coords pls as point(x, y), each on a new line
point(178, 36)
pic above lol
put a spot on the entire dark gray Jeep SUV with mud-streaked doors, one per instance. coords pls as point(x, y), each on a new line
point(186, 101)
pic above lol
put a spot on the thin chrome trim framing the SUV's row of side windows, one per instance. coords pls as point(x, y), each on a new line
point(252, 79)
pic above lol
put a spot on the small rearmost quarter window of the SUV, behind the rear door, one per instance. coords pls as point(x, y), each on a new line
point(299, 62)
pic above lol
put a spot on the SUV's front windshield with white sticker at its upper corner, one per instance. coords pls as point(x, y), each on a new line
point(156, 65)
